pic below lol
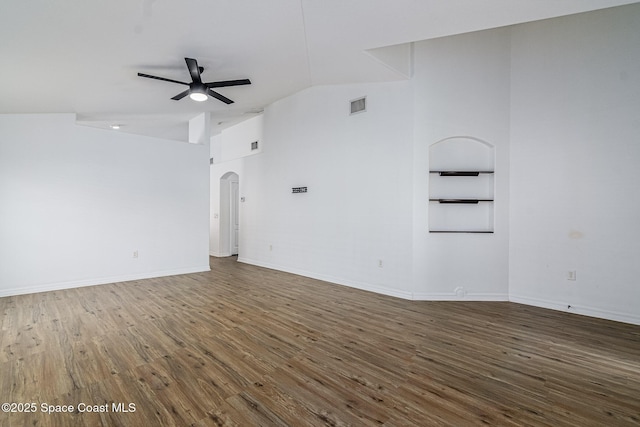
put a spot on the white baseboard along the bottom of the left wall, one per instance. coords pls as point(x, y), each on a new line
point(100, 281)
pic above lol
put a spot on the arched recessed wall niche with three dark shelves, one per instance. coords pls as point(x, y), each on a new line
point(461, 185)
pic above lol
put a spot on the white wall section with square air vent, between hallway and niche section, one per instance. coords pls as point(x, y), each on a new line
point(353, 226)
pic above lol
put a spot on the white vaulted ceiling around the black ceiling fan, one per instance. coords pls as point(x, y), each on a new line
point(82, 56)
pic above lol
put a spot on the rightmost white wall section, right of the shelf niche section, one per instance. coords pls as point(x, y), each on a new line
point(575, 155)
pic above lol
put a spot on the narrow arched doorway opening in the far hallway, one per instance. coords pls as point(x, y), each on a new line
point(229, 225)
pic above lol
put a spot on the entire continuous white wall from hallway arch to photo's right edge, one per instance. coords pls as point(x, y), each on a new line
point(559, 102)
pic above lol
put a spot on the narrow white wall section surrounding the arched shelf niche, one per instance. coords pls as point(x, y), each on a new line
point(461, 89)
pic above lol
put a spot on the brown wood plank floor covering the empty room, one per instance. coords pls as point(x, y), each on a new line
point(248, 346)
